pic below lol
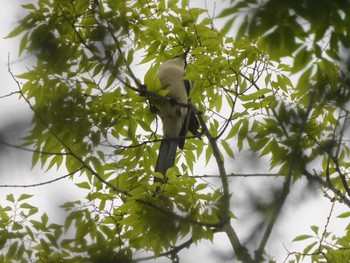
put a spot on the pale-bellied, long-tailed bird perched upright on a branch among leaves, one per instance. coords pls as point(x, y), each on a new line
point(176, 119)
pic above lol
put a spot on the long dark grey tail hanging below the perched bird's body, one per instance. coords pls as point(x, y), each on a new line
point(166, 157)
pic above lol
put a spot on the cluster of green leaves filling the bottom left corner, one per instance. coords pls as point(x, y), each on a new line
point(23, 237)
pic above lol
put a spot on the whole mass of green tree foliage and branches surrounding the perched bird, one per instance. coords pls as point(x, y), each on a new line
point(278, 88)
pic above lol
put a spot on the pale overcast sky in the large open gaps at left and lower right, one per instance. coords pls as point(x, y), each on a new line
point(15, 168)
